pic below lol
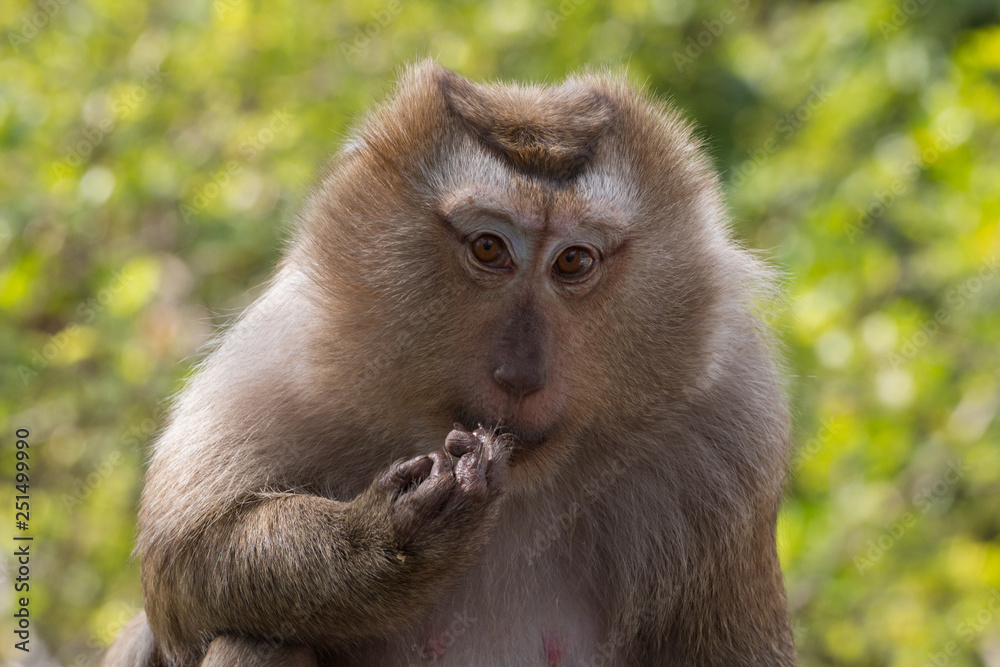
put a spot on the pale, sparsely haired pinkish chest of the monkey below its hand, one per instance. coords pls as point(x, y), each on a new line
point(547, 625)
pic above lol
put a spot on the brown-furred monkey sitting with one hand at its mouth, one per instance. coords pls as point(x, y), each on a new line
point(507, 400)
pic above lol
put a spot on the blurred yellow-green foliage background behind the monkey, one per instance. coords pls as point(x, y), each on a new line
point(153, 152)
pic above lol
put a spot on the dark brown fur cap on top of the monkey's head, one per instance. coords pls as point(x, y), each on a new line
point(547, 133)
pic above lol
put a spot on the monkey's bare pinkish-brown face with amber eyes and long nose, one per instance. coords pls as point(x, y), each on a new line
point(528, 260)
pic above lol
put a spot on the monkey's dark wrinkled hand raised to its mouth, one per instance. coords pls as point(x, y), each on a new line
point(441, 504)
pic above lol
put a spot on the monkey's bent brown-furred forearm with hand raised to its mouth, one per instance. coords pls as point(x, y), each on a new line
point(302, 569)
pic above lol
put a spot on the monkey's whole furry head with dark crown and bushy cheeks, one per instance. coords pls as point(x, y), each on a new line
point(527, 258)
